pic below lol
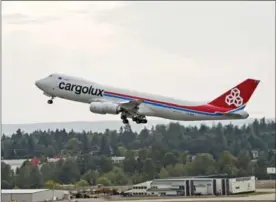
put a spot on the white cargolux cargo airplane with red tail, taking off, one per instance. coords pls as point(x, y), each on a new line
point(138, 106)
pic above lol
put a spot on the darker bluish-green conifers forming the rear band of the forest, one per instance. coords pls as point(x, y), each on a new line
point(260, 135)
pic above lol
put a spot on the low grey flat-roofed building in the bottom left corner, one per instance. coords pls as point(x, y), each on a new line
point(32, 195)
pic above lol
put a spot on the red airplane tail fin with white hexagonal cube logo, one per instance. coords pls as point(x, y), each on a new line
point(238, 96)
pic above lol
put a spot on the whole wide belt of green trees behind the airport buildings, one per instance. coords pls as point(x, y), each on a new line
point(162, 151)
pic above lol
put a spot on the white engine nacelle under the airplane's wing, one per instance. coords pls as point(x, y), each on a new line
point(104, 108)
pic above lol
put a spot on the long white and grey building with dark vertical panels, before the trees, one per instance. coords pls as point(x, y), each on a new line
point(190, 186)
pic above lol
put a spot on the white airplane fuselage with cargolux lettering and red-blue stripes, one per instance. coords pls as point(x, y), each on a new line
point(81, 90)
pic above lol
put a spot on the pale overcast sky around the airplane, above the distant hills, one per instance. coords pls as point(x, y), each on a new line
point(187, 50)
